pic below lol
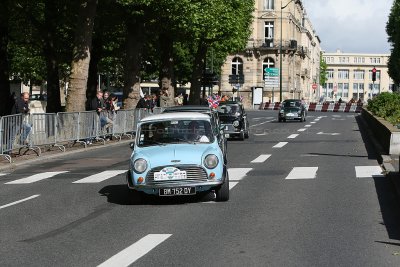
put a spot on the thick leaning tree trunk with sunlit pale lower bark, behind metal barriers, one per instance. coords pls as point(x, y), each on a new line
point(76, 97)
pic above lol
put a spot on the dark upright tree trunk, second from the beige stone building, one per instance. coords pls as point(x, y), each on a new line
point(167, 64)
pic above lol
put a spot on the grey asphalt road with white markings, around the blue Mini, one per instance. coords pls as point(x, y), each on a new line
point(302, 194)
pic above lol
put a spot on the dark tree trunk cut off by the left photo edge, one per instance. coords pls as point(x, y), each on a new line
point(5, 108)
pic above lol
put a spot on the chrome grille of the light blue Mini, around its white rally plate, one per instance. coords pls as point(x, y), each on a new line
point(193, 174)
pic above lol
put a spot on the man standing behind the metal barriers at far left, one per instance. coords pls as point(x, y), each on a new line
point(21, 106)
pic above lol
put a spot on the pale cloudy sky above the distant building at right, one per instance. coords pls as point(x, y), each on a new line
point(352, 26)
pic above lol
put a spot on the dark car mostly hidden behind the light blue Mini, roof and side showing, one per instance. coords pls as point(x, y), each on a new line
point(215, 121)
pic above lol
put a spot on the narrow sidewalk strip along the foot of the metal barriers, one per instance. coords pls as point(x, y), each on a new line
point(31, 158)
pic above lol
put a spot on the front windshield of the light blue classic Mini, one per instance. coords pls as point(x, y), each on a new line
point(175, 131)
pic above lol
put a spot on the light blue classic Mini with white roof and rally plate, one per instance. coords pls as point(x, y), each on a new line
point(177, 154)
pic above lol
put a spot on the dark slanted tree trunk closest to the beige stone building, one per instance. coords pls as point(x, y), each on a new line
point(198, 65)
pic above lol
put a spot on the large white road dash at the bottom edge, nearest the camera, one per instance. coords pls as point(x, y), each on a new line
point(137, 250)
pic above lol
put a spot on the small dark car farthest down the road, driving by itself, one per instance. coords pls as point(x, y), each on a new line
point(292, 109)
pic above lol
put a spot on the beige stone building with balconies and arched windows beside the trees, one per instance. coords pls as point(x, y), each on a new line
point(281, 59)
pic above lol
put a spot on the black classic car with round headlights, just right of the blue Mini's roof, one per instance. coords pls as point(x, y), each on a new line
point(233, 118)
